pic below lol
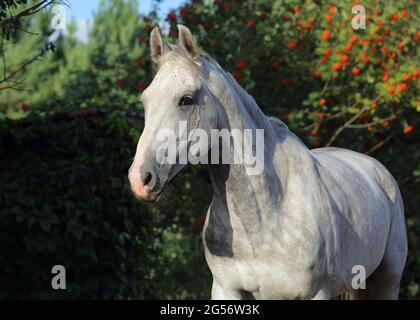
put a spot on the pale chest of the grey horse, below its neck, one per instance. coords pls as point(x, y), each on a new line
point(260, 260)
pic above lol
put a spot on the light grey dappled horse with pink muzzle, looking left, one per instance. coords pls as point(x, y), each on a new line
point(299, 228)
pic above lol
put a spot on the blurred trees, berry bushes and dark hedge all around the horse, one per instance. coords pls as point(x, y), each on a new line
point(64, 194)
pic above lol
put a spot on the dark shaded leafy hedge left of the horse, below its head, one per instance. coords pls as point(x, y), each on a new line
point(66, 200)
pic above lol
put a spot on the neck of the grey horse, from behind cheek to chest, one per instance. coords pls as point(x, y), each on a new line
point(255, 199)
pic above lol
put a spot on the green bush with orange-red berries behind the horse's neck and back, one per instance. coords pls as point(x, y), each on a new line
point(303, 61)
